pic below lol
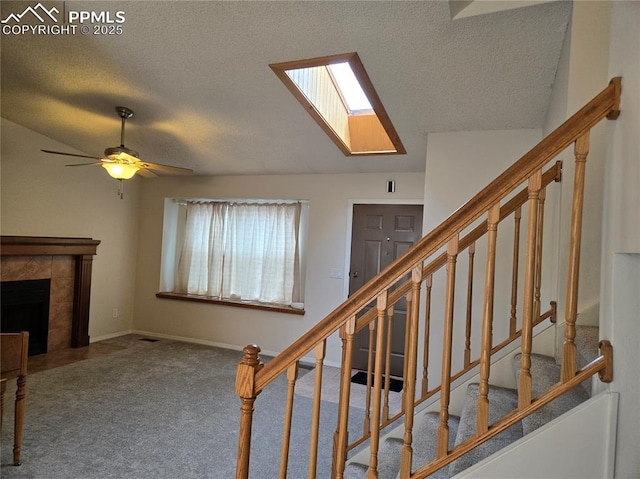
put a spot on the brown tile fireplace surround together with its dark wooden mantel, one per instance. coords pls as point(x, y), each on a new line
point(67, 262)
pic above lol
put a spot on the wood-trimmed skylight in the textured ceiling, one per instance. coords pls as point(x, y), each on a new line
point(337, 93)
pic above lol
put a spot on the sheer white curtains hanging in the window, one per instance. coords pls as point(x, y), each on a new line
point(246, 251)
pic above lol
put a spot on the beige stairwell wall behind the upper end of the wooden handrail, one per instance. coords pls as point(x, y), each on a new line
point(582, 74)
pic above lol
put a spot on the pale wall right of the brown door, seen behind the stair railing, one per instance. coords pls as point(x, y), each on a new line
point(458, 166)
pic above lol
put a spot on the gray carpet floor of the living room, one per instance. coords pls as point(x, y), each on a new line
point(161, 409)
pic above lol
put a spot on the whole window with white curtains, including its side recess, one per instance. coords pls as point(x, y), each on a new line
point(240, 251)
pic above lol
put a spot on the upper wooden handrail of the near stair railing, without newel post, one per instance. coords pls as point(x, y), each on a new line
point(605, 104)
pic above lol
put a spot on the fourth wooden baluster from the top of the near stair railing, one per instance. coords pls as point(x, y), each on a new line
point(445, 391)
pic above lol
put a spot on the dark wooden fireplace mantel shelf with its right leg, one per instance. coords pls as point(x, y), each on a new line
point(83, 250)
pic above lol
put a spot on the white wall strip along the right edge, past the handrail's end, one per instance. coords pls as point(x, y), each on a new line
point(621, 235)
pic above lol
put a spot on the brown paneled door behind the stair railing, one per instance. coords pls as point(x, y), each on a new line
point(381, 233)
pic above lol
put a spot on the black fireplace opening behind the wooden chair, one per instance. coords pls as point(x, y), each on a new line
point(25, 307)
